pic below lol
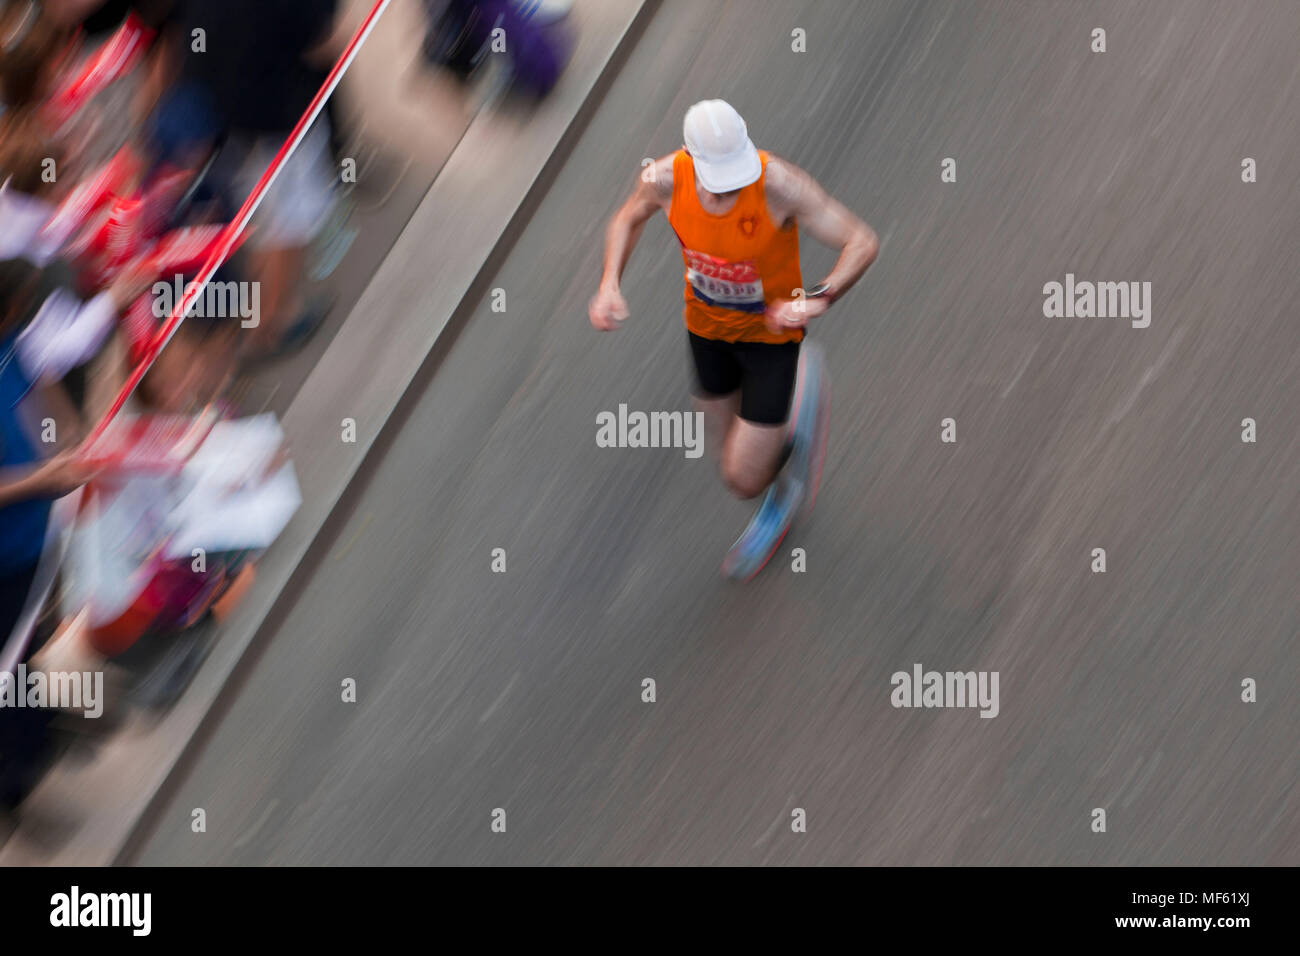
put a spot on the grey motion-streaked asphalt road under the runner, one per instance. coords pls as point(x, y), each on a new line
point(1121, 691)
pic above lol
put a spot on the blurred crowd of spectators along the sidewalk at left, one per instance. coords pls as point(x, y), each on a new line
point(132, 133)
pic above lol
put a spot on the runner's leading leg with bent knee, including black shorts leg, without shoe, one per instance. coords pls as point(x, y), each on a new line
point(757, 444)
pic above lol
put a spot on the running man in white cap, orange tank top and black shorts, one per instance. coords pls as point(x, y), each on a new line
point(736, 213)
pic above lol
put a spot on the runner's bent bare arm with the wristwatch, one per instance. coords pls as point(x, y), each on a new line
point(794, 194)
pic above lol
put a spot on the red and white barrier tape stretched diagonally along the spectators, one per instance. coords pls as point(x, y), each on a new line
point(232, 233)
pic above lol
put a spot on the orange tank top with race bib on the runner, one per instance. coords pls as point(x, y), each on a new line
point(736, 263)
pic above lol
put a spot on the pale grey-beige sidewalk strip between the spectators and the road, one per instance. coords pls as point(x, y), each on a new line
point(397, 306)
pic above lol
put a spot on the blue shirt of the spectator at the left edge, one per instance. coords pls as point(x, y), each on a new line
point(23, 525)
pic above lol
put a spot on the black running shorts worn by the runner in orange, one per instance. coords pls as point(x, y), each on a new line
point(764, 373)
